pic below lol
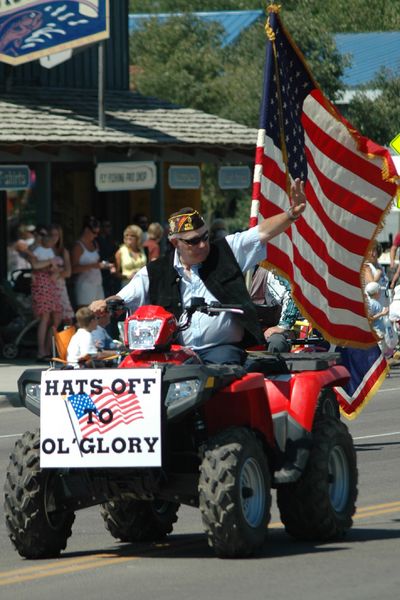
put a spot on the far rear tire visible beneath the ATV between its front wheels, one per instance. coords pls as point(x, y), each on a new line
point(139, 520)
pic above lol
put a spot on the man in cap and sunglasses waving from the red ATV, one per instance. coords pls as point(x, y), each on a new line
point(196, 268)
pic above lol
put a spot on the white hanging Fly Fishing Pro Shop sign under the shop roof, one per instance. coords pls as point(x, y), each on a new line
point(113, 177)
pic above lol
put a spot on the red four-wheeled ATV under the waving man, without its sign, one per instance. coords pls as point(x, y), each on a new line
point(229, 435)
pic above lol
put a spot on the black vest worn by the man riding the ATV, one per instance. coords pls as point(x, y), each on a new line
point(221, 275)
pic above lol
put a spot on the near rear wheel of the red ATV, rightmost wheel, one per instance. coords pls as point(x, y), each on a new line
point(321, 504)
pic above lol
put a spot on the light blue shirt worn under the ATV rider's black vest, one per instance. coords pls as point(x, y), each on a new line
point(204, 331)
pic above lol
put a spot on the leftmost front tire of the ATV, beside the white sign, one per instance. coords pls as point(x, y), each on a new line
point(34, 530)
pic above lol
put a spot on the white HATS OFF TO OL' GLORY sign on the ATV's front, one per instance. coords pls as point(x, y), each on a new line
point(100, 418)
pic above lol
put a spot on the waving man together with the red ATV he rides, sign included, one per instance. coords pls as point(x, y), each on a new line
point(223, 435)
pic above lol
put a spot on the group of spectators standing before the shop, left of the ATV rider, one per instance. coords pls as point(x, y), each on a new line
point(58, 282)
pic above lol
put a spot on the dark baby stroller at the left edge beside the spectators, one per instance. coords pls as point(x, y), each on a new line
point(17, 323)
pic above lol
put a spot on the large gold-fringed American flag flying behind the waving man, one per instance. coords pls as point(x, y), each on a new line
point(348, 188)
